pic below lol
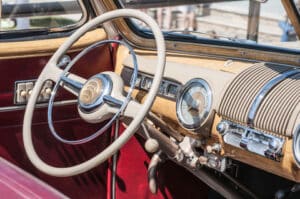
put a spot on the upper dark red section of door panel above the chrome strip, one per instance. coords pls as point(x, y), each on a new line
point(19, 69)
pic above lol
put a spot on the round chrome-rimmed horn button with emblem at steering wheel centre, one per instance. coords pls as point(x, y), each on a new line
point(93, 91)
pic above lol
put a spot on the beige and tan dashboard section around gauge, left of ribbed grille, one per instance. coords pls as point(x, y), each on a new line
point(216, 72)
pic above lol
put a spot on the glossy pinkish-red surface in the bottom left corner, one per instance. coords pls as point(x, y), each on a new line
point(16, 183)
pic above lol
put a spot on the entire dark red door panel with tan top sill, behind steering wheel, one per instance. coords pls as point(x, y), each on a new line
point(18, 61)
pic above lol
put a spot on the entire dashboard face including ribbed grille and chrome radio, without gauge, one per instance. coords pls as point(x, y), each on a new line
point(237, 90)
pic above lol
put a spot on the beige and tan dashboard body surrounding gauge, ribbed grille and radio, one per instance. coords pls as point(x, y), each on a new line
point(219, 73)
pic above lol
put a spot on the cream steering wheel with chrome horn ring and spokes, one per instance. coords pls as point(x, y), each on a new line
point(99, 98)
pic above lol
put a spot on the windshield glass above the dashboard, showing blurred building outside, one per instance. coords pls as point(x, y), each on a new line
point(236, 21)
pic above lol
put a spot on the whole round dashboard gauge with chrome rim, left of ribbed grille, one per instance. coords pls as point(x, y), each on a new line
point(194, 103)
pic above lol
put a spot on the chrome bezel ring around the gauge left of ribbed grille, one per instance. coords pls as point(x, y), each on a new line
point(192, 83)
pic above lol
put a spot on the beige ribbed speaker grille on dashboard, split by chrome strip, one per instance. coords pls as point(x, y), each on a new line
point(275, 109)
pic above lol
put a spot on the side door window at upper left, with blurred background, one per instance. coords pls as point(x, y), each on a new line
point(51, 15)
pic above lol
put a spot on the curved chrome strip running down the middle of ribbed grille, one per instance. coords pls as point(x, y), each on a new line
point(265, 90)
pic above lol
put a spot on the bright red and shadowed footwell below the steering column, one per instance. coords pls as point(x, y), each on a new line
point(132, 182)
